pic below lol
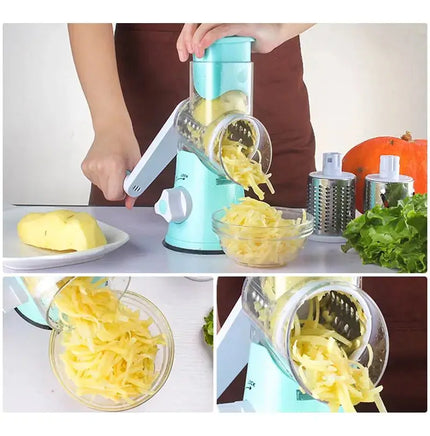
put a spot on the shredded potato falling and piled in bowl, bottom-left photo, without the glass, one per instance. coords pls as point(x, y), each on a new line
point(109, 350)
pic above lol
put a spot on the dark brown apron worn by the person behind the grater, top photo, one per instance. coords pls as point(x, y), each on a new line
point(154, 81)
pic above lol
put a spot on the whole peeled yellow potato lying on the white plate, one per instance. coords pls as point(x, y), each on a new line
point(61, 230)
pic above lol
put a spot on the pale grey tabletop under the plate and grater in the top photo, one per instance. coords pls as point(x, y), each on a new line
point(144, 252)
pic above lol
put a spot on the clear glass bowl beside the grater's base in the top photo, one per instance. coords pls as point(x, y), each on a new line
point(264, 247)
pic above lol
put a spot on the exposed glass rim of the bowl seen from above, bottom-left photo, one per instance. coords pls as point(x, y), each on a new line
point(163, 360)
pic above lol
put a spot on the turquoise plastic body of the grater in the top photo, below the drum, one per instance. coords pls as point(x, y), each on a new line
point(209, 193)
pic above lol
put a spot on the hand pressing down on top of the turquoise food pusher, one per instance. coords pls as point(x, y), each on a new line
point(195, 38)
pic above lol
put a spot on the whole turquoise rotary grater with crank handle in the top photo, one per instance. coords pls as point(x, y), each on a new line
point(219, 106)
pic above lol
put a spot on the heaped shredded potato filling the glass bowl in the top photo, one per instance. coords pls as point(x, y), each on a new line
point(257, 234)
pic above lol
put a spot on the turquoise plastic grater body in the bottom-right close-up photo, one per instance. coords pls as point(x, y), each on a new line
point(268, 389)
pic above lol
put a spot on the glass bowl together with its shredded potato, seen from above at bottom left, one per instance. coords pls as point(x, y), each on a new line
point(114, 354)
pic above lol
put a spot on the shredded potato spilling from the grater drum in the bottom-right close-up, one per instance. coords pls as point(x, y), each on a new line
point(325, 368)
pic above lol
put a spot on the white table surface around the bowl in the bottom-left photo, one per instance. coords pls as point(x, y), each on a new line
point(29, 385)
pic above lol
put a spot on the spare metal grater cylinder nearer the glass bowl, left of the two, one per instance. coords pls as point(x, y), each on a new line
point(331, 199)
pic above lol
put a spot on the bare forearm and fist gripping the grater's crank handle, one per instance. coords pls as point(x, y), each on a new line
point(115, 149)
